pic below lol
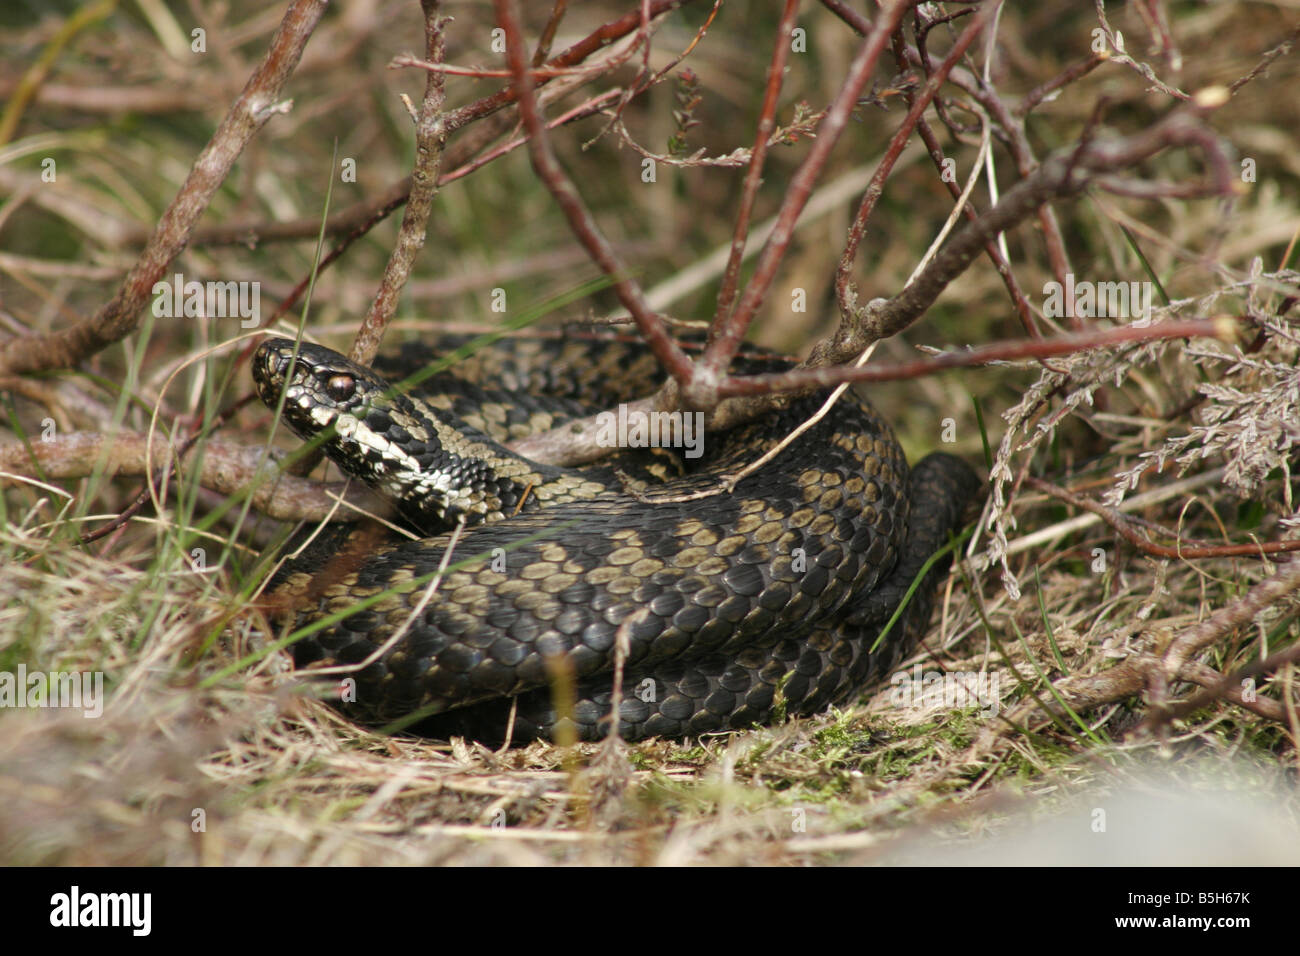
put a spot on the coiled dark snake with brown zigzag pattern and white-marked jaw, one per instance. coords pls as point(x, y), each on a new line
point(734, 607)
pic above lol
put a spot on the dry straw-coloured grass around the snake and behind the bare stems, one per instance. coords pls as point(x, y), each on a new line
point(198, 762)
